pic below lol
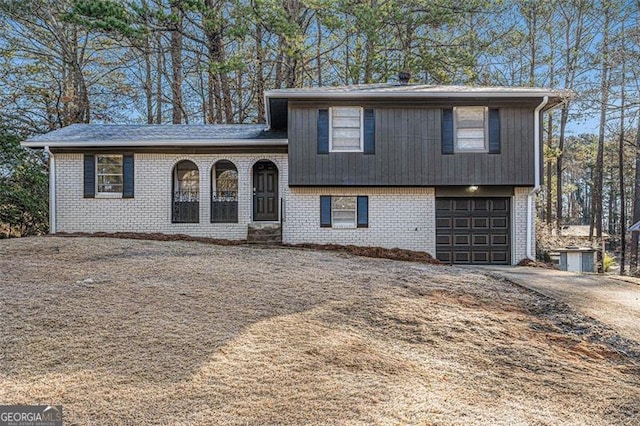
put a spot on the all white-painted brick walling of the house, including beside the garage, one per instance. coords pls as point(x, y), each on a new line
point(398, 217)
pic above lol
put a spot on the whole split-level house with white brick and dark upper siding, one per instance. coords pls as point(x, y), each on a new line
point(447, 170)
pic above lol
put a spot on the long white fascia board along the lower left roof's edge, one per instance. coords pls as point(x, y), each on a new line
point(124, 144)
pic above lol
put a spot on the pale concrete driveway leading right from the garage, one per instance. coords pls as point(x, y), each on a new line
point(610, 301)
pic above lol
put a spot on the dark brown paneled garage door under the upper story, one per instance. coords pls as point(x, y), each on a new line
point(473, 230)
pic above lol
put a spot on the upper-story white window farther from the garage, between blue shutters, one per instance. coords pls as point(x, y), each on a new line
point(346, 129)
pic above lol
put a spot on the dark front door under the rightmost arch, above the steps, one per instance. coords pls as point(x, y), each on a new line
point(265, 191)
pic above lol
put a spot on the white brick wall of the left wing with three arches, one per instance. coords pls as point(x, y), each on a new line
point(150, 210)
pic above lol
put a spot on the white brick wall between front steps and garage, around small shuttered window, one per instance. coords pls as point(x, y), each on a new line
point(398, 217)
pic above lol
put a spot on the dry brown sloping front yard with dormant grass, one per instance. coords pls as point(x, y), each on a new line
point(149, 332)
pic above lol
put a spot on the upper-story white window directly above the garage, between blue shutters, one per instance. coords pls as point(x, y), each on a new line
point(470, 129)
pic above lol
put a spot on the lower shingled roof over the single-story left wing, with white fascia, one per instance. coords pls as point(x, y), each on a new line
point(115, 135)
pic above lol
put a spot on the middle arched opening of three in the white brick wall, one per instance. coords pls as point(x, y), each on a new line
point(224, 192)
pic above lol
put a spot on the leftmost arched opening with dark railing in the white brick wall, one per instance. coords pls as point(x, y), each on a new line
point(186, 193)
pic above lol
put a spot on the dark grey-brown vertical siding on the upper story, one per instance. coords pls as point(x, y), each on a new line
point(408, 151)
